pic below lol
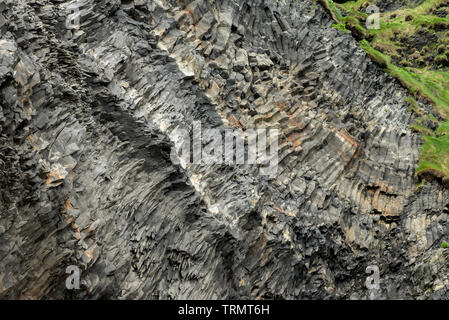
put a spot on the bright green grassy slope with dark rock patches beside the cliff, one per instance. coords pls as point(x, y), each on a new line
point(410, 40)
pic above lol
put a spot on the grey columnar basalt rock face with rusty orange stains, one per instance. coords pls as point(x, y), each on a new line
point(89, 118)
